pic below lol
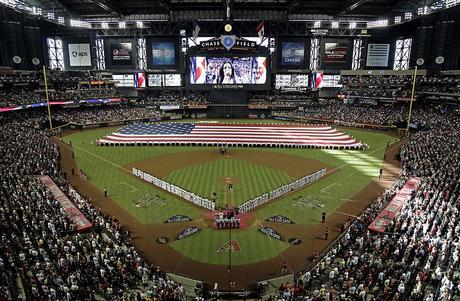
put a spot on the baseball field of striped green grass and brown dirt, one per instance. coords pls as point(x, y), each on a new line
point(350, 184)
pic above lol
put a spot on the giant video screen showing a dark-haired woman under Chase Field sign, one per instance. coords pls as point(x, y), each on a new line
point(228, 71)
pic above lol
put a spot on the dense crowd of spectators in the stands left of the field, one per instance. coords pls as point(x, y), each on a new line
point(42, 257)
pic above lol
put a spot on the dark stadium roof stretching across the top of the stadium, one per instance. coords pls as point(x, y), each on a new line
point(187, 10)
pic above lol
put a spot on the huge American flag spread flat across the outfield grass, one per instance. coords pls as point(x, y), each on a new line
point(243, 134)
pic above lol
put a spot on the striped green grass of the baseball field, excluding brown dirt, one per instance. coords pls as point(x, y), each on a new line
point(104, 168)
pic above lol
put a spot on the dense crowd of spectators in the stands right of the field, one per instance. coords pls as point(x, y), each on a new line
point(418, 255)
